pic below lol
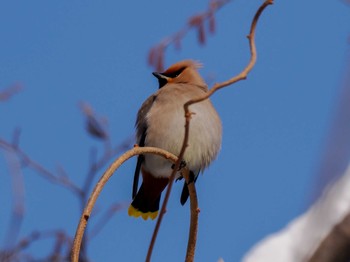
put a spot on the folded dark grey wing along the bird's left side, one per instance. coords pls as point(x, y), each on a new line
point(141, 131)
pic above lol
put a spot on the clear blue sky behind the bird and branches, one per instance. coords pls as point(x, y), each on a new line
point(275, 123)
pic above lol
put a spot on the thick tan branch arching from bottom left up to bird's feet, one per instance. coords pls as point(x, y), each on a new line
point(99, 186)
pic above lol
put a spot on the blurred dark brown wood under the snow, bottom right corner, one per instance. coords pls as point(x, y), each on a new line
point(336, 246)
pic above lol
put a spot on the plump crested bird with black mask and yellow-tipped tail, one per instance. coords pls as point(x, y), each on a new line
point(160, 123)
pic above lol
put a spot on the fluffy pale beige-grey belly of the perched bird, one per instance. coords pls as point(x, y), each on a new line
point(168, 133)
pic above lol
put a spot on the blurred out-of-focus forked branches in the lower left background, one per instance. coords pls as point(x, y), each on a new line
point(19, 160)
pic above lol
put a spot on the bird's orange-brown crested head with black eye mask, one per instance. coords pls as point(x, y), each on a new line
point(184, 72)
